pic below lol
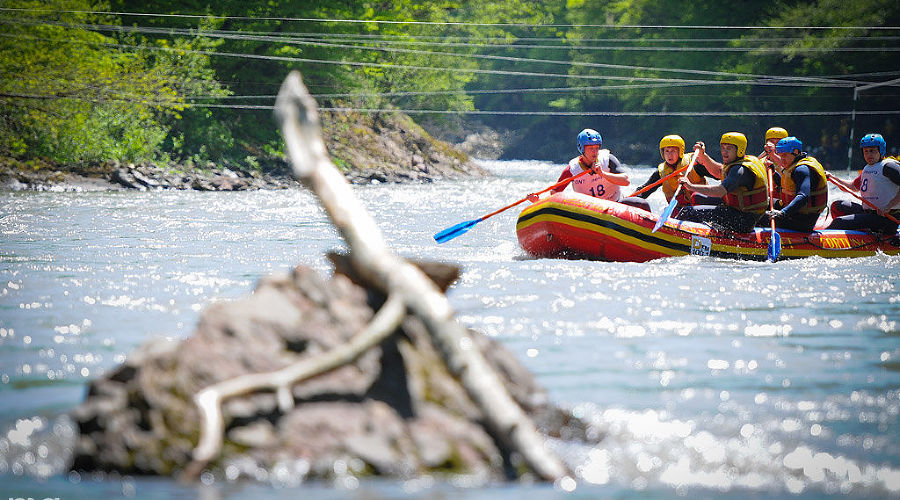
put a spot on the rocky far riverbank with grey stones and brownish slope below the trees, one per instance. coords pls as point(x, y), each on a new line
point(368, 149)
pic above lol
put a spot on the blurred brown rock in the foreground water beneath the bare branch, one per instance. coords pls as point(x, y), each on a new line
point(394, 412)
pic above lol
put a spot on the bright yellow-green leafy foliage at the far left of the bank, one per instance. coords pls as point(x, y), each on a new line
point(74, 96)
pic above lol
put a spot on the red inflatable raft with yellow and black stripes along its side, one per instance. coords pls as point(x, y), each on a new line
point(571, 225)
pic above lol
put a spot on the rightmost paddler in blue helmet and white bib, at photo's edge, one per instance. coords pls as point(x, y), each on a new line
point(879, 184)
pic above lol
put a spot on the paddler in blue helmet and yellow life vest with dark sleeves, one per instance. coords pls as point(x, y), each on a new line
point(804, 187)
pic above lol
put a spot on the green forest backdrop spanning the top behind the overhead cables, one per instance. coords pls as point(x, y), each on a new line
point(195, 81)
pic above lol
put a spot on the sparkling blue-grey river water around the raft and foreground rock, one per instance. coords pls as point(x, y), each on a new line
point(712, 378)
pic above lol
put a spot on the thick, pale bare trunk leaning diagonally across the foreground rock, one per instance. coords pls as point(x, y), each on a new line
point(371, 258)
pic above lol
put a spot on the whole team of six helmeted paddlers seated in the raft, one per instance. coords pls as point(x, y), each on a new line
point(799, 183)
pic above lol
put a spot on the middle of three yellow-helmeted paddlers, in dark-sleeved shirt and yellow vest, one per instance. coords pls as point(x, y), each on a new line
point(743, 188)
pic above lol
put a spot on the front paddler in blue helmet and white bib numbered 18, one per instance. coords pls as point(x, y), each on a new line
point(606, 177)
